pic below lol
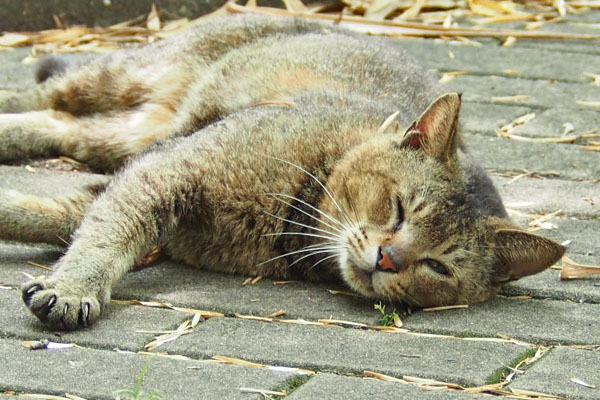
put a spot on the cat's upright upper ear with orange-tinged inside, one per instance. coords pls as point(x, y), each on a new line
point(435, 130)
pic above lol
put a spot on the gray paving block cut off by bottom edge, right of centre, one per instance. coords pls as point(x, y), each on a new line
point(329, 386)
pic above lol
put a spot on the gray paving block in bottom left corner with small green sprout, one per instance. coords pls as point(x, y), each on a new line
point(96, 374)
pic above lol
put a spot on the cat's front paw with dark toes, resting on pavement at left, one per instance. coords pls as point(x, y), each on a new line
point(59, 308)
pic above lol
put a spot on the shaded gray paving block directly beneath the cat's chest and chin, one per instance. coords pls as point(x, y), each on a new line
point(181, 285)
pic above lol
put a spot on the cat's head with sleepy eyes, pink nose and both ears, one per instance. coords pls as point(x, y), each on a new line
point(413, 232)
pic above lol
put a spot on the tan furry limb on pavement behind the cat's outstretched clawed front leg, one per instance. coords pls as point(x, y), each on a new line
point(30, 218)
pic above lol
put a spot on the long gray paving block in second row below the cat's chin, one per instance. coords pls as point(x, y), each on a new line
point(347, 350)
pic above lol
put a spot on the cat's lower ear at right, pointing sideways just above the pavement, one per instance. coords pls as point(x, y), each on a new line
point(521, 254)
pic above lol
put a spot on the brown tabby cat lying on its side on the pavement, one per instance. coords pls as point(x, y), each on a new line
point(261, 146)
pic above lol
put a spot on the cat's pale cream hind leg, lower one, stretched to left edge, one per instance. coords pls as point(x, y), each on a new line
point(103, 141)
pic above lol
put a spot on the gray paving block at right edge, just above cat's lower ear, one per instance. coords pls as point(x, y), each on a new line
point(575, 199)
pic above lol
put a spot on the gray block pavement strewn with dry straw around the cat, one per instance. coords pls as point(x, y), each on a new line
point(554, 324)
